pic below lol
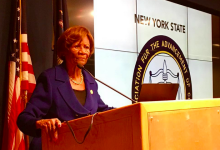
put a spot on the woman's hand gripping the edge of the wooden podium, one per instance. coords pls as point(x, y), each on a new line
point(50, 126)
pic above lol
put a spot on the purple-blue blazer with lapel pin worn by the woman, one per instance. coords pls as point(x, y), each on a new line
point(53, 97)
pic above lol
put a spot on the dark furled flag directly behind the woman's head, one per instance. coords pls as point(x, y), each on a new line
point(60, 24)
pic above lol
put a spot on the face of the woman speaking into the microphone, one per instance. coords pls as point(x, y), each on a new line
point(79, 52)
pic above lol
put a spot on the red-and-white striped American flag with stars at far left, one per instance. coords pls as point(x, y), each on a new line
point(21, 79)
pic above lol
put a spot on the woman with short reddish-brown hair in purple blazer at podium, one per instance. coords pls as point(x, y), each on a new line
point(64, 92)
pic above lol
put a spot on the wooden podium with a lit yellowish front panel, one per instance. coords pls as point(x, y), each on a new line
point(165, 125)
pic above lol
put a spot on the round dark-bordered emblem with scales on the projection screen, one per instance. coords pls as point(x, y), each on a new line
point(166, 47)
